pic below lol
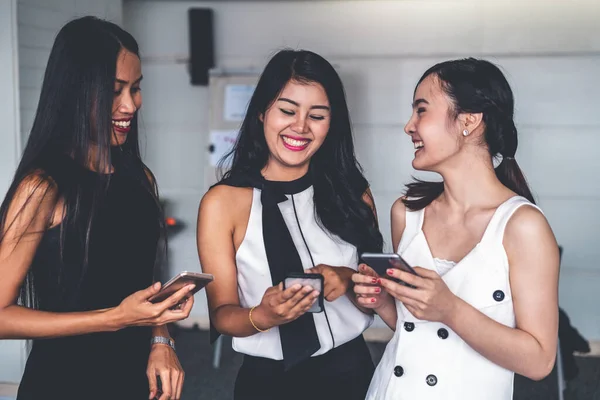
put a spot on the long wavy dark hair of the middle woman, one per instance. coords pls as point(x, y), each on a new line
point(338, 181)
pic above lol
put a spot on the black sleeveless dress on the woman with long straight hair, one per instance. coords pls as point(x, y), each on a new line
point(123, 241)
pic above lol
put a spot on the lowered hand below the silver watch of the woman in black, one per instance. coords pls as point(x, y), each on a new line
point(163, 362)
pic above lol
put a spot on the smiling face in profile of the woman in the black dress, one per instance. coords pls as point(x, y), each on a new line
point(128, 97)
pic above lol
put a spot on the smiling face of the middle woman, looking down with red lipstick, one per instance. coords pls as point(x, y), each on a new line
point(295, 126)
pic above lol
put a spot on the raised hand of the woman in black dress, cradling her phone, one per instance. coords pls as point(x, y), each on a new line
point(136, 310)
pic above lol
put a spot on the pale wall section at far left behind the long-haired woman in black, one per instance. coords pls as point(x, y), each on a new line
point(27, 31)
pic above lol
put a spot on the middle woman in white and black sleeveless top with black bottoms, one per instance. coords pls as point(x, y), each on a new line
point(294, 200)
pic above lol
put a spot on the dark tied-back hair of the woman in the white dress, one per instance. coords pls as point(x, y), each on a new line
point(477, 86)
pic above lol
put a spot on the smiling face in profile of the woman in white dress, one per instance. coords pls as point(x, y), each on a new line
point(434, 132)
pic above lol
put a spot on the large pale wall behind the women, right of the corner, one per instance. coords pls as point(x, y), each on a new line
point(549, 50)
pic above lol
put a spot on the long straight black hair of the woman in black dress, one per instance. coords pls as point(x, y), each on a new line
point(74, 119)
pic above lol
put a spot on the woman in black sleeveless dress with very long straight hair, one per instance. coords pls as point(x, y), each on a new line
point(79, 232)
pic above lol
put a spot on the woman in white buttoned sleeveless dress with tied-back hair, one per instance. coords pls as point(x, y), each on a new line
point(486, 299)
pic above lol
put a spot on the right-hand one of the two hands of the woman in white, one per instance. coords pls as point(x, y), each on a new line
point(431, 300)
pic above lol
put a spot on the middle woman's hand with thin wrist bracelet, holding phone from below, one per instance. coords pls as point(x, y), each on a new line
point(279, 306)
